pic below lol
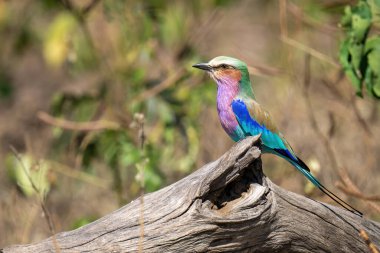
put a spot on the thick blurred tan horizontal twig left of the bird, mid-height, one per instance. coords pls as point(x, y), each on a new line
point(78, 126)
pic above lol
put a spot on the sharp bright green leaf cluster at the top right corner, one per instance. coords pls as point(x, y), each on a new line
point(359, 51)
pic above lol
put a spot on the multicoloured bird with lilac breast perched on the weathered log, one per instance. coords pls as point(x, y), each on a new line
point(241, 115)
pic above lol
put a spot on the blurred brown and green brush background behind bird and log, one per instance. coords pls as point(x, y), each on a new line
point(99, 102)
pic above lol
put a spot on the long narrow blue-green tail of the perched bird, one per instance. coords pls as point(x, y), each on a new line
point(302, 167)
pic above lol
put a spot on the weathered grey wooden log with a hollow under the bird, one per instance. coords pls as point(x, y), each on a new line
point(226, 206)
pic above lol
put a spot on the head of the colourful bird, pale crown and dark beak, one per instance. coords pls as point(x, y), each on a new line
point(228, 71)
